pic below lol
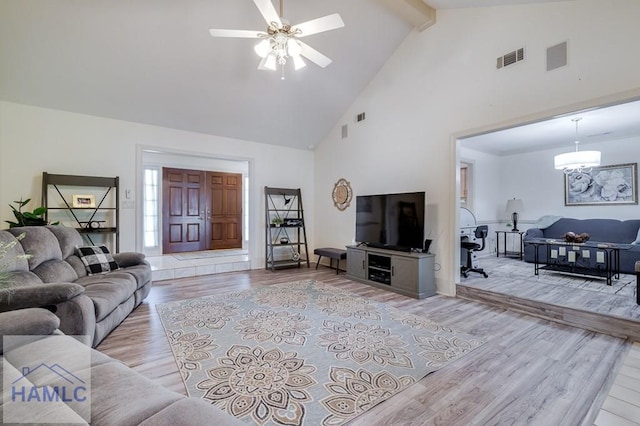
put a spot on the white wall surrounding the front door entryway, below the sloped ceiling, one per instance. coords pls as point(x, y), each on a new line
point(34, 140)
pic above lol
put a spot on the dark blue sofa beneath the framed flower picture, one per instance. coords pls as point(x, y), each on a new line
point(625, 232)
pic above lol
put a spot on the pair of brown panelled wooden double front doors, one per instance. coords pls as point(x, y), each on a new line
point(201, 210)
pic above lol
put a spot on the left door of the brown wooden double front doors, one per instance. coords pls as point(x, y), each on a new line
point(183, 211)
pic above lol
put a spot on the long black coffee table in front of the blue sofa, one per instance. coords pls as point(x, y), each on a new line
point(567, 257)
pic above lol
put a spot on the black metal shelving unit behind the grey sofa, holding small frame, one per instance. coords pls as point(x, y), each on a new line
point(103, 218)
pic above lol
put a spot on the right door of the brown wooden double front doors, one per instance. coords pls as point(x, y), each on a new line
point(225, 193)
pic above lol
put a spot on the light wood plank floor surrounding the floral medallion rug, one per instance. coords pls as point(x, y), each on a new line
point(530, 371)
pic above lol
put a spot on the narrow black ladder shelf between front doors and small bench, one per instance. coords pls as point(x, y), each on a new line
point(285, 233)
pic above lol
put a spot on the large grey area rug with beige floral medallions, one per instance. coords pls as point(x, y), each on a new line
point(303, 352)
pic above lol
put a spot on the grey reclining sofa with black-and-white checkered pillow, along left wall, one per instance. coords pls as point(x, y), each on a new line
point(55, 277)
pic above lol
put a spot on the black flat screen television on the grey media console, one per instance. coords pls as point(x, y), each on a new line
point(392, 221)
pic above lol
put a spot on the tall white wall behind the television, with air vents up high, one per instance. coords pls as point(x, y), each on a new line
point(443, 82)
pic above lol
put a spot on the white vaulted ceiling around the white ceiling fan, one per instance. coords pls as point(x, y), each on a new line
point(154, 62)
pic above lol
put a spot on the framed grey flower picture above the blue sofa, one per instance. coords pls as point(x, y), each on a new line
point(617, 184)
